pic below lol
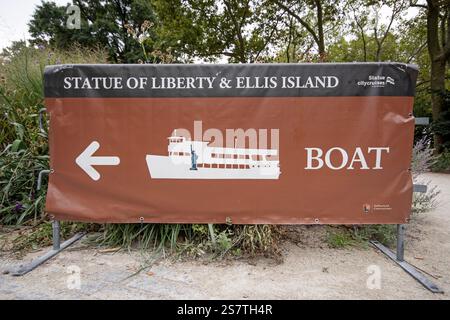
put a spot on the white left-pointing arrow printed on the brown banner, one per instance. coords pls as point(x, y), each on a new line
point(86, 161)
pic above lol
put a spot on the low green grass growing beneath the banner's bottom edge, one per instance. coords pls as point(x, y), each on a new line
point(193, 240)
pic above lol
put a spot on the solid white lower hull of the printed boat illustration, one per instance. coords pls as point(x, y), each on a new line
point(163, 167)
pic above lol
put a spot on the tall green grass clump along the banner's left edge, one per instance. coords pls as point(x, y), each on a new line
point(23, 148)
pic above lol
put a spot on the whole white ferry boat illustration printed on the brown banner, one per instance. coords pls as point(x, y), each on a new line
point(188, 159)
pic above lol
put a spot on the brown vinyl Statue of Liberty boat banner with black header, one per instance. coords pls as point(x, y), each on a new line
point(266, 143)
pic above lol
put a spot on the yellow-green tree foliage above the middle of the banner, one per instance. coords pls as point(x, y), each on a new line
point(209, 29)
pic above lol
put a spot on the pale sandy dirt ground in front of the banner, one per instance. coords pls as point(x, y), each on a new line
point(310, 270)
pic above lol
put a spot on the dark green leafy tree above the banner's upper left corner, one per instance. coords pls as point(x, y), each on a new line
point(103, 23)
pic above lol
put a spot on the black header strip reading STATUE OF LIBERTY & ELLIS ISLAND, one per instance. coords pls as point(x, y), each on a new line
point(231, 80)
